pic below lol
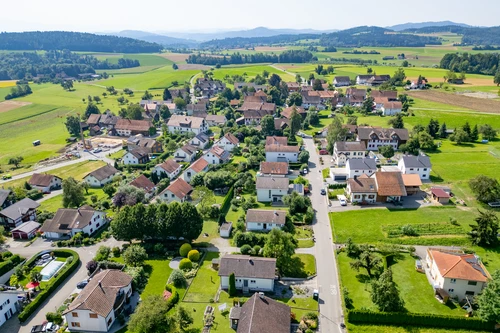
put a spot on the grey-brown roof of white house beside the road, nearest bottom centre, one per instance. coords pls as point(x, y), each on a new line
point(248, 267)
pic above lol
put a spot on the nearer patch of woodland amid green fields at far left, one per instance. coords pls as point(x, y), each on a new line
point(27, 65)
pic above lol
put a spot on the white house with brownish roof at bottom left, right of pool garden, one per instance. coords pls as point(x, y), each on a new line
point(97, 306)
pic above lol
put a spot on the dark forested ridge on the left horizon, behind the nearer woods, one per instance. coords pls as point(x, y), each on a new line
point(74, 41)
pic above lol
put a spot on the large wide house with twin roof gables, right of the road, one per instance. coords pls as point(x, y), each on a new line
point(375, 137)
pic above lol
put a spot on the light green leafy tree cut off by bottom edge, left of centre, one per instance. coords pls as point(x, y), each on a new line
point(152, 316)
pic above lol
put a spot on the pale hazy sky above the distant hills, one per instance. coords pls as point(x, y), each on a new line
point(214, 15)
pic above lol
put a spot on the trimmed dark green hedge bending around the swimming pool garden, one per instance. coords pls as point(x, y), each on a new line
point(51, 286)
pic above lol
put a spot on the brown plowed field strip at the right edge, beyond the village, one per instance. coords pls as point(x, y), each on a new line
point(477, 104)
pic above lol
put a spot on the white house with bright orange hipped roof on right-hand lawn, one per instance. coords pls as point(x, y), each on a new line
point(458, 274)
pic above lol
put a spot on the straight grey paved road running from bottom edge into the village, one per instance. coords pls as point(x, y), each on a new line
point(330, 306)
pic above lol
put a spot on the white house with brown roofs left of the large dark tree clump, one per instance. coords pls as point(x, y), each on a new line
point(67, 222)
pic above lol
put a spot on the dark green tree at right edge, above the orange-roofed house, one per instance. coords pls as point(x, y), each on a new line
point(485, 232)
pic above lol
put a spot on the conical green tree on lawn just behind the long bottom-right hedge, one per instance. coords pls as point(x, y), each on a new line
point(385, 293)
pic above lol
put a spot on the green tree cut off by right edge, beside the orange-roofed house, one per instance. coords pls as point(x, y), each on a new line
point(489, 300)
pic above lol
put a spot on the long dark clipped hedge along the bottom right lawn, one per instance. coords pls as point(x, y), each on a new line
point(418, 319)
